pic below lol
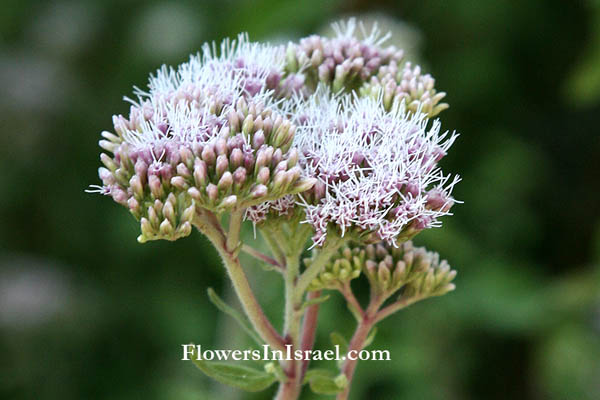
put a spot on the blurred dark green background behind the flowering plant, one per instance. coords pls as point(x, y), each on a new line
point(88, 313)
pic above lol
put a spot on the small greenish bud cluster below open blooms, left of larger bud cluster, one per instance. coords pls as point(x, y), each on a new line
point(341, 269)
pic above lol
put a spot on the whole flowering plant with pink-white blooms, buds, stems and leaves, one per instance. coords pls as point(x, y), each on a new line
point(329, 147)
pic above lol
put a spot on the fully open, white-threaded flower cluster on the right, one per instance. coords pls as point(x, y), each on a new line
point(376, 170)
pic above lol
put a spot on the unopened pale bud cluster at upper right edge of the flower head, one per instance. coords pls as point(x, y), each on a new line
point(406, 84)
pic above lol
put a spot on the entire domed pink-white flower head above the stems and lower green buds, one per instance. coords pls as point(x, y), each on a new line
point(249, 127)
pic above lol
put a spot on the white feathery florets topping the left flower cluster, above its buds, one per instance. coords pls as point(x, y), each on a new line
point(193, 101)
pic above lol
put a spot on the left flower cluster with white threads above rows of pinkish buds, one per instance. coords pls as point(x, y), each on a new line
point(209, 135)
